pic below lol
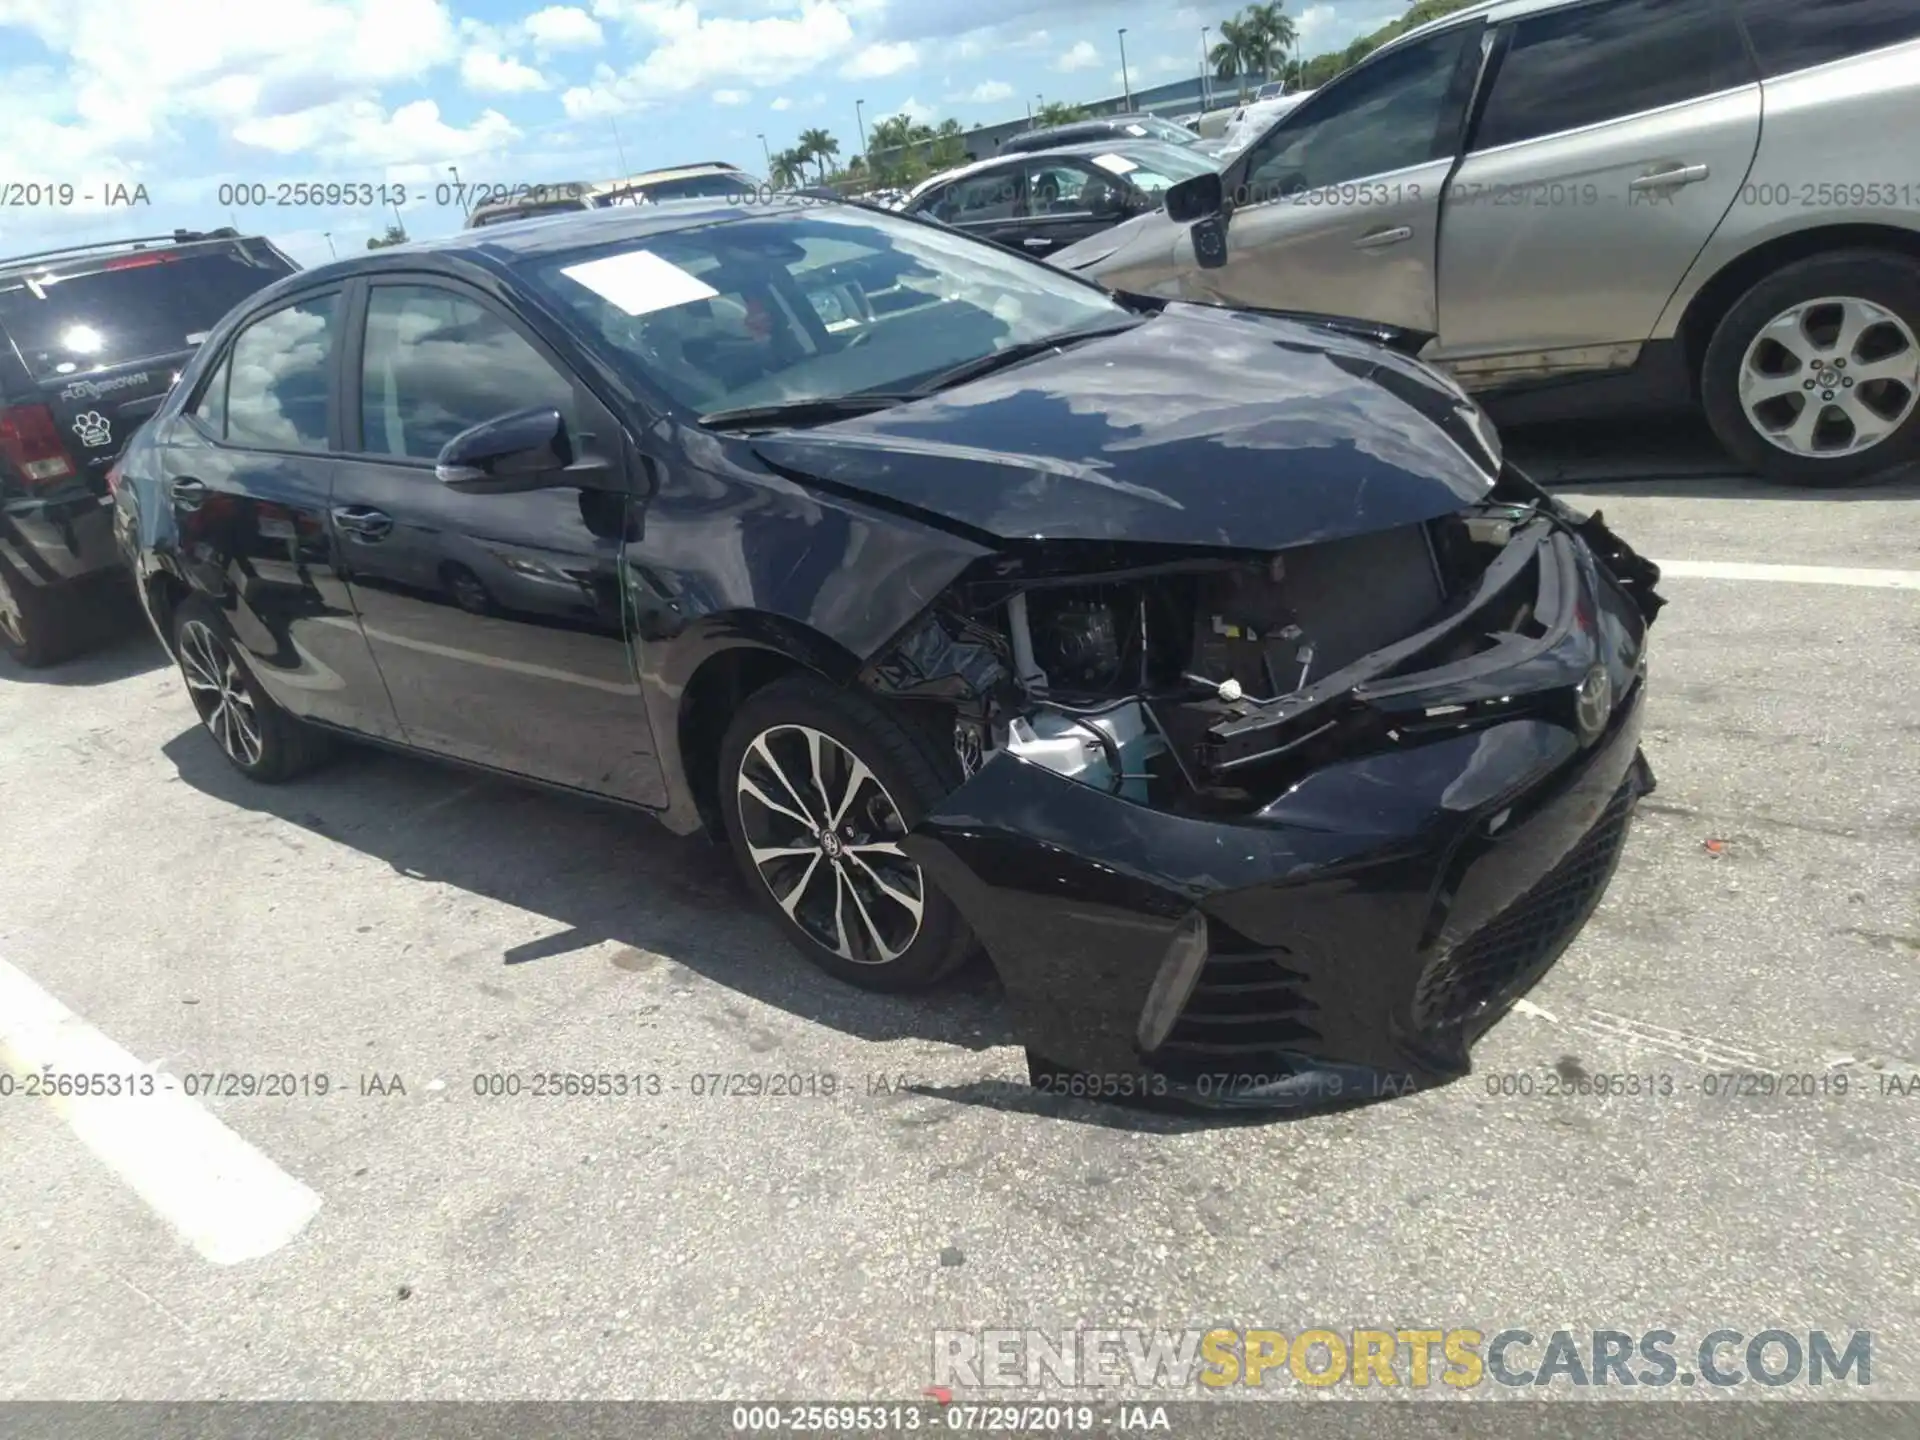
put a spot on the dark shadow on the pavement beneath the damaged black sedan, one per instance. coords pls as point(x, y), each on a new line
point(612, 876)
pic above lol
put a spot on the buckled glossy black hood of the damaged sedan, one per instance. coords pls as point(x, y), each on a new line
point(1199, 427)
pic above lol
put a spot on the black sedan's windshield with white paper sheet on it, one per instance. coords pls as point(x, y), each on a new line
point(815, 304)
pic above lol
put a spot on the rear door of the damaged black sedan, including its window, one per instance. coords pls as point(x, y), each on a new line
point(247, 471)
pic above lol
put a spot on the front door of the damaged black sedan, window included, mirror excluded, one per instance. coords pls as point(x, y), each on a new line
point(496, 619)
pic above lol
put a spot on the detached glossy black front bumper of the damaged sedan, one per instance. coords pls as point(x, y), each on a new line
point(1360, 932)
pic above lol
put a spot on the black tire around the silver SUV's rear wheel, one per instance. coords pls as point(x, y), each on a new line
point(1884, 279)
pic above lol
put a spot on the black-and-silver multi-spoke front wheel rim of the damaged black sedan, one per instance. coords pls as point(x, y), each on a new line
point(825, 840)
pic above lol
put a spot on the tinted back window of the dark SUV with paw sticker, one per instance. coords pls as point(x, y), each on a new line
point(137, 306)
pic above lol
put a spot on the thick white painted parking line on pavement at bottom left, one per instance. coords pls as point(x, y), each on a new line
point(216, 1189)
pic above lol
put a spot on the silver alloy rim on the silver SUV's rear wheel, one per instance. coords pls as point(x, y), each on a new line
point(1831, 377)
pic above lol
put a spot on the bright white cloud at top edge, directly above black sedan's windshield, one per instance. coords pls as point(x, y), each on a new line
point(694, 53)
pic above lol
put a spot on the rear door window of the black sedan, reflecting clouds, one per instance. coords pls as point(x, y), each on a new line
point(277, 389)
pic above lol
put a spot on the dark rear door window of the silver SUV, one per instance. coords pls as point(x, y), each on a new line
point(1585, 66)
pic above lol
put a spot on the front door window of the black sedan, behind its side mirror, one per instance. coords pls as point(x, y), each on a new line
point(439, 364)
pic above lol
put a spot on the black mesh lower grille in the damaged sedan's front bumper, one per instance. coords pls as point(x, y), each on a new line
point(1512, 948)
